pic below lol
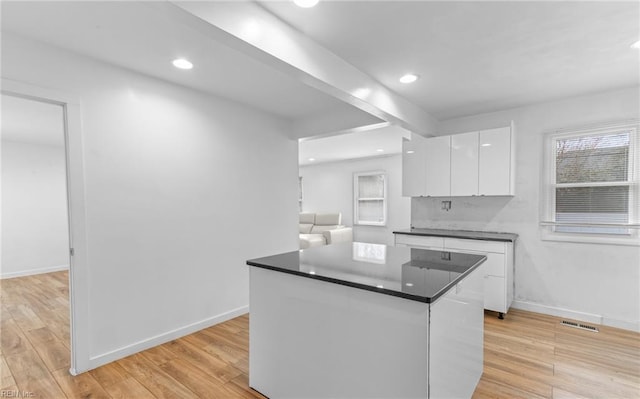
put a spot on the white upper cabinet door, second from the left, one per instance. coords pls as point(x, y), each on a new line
point(438, 164)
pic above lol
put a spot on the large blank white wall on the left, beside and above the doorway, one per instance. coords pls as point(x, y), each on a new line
point(181, 189)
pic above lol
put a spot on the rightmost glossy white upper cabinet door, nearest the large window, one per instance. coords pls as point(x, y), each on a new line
point(494, 162)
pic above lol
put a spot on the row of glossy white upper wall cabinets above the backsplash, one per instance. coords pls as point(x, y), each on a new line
point(478, 163)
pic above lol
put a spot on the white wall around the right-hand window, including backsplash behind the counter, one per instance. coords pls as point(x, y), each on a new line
point(586, 281)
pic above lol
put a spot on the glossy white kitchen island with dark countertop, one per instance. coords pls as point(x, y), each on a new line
point(358, 320)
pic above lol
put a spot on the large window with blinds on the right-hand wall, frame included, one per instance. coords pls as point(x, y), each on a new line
point(592, 185)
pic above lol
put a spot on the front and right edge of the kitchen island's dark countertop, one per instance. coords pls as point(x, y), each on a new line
point(417, 298)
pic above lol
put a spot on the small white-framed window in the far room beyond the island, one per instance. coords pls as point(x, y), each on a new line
point(370, 198)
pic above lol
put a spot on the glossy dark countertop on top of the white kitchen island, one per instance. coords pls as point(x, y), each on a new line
point(416, 274)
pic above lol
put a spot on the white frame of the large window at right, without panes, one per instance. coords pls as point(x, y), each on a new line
point(548, 221)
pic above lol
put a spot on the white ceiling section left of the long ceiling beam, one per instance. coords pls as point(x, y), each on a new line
point(147, 36)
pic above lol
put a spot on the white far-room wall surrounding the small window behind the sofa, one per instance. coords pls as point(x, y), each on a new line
point(328, 187)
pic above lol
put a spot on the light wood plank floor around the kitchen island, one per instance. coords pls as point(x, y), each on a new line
point(527, 355)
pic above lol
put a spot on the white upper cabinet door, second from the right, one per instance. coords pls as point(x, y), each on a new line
point(464, 164)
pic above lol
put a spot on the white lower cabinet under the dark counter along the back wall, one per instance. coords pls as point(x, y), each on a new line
point(498, 269)
